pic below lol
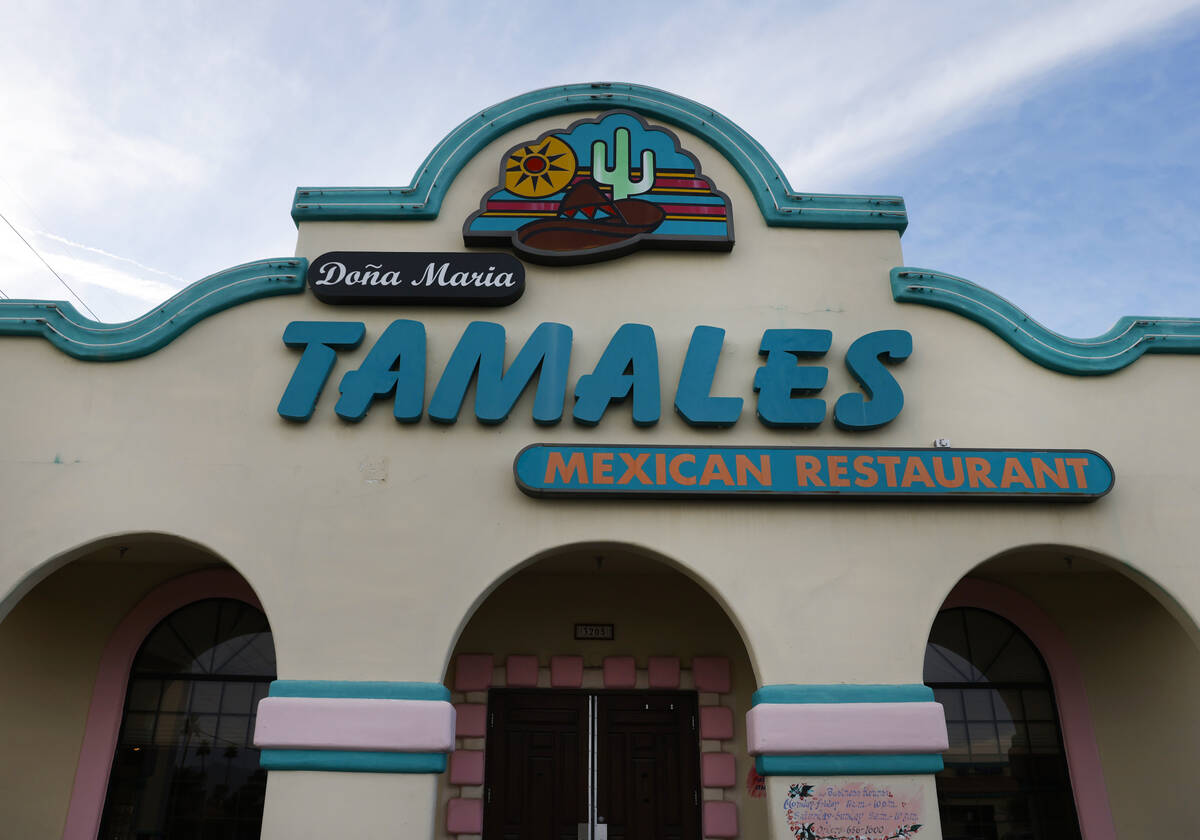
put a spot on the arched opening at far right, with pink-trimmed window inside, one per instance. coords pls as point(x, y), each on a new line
point(1121, 662)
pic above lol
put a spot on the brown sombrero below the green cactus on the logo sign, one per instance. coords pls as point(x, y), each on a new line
point(587, 220)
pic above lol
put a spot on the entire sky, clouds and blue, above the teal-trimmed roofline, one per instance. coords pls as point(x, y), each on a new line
point(1047, 151)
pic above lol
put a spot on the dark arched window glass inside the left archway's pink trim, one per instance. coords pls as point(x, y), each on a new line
point(185, 767)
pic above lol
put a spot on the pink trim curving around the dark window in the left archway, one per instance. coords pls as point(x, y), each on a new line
point(109, 695)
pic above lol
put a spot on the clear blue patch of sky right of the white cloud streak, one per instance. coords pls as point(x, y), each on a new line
point(1078, 202)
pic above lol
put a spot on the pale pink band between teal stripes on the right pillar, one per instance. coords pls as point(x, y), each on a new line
point(821, 729)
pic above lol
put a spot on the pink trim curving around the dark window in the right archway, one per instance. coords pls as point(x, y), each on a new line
point(1078, 736)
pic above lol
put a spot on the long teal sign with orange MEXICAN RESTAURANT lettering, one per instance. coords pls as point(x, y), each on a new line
point(784, 472)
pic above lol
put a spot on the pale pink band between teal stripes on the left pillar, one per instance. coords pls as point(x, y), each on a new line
point(356, 724)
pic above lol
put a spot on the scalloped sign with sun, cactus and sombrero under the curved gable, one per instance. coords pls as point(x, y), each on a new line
point(602, 189)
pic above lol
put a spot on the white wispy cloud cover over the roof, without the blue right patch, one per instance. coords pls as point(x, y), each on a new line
point(170, 140)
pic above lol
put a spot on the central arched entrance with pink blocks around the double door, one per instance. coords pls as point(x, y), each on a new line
point(601, 694)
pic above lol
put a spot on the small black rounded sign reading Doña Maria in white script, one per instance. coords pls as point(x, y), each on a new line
point(417, 278)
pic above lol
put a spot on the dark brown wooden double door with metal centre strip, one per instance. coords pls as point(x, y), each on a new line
point(592, 766)
